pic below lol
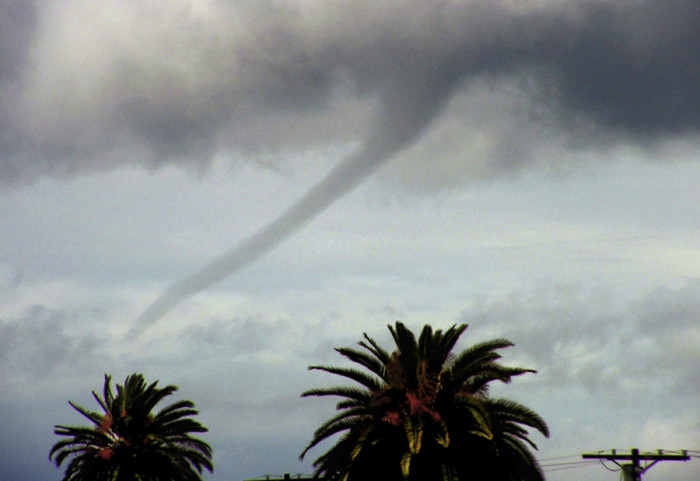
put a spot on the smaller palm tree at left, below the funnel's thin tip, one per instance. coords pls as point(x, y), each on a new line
point(128, 441)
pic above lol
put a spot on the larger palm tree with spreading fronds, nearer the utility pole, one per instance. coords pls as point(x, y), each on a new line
point(423, 413)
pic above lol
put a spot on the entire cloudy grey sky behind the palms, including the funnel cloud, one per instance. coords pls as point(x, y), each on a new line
point(217, 193)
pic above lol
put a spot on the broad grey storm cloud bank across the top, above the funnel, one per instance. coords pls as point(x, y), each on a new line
point(115, 83)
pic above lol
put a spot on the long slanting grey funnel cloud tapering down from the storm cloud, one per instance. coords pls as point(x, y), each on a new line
point(407, 111)
